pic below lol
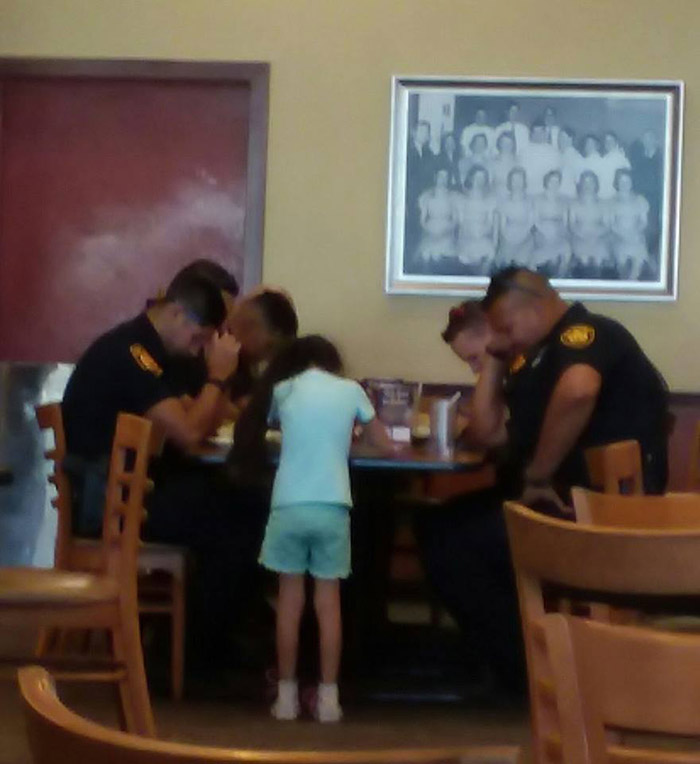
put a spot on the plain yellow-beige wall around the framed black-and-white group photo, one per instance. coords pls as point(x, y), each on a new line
point(332, 61)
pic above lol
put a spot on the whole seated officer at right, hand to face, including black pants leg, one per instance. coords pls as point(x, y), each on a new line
point(554, 380)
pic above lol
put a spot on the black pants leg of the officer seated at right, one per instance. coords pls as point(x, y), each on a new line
point(467, 561)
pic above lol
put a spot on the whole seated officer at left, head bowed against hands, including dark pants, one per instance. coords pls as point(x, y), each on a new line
point(136, 368)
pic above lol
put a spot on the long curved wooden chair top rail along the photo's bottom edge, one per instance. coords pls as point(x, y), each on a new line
point(59, 736)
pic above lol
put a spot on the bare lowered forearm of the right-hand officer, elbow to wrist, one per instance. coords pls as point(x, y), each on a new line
point(565, 420)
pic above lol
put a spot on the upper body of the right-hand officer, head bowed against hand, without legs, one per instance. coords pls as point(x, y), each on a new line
point(560, 380)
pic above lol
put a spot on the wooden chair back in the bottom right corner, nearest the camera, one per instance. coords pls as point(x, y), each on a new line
point(619, 678)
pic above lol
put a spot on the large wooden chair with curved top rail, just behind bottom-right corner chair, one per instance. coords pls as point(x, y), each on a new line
point(589, 563)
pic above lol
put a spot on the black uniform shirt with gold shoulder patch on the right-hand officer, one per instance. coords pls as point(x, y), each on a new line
point(632, 402)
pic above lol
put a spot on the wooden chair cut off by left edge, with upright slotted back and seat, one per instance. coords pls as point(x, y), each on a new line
point(50, 598)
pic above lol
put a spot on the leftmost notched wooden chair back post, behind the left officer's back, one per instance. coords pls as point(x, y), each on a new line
point(50, 419)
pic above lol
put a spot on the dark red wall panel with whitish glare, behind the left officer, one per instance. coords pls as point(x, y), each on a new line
point(107, 187)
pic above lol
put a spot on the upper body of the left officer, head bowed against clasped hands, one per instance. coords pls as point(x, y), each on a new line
point(129, 369)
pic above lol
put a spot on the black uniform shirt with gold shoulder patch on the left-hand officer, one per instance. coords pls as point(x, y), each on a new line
point(126, 369)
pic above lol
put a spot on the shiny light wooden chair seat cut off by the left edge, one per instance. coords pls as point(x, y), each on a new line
point(49, 587)
